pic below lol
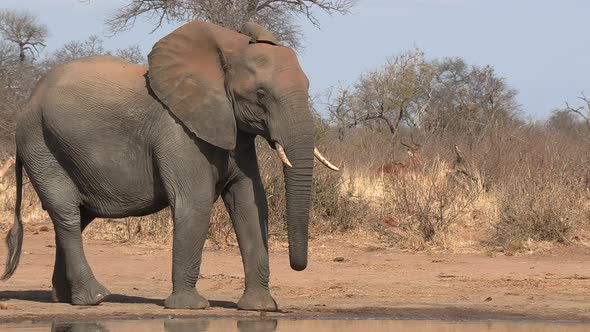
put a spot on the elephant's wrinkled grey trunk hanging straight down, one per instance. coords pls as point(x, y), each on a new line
point(298, 143)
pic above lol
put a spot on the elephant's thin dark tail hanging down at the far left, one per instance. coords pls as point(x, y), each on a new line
point(14, 238)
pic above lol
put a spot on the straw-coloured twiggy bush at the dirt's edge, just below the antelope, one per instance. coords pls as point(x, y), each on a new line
point(426, 207)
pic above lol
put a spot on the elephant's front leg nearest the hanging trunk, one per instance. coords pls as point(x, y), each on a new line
point(246, 203)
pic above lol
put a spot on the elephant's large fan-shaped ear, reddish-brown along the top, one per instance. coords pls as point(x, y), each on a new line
point(187, 73)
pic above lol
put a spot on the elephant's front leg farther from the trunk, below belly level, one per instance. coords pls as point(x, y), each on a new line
point(190, 232)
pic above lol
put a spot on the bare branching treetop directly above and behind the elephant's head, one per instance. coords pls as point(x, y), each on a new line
point(276, 15)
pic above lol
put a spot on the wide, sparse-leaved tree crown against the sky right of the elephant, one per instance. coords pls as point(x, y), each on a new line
point(411, 95)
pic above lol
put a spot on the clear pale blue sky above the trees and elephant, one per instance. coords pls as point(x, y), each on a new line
point(540, 47)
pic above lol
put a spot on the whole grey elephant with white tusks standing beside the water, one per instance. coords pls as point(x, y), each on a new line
point(101, 137)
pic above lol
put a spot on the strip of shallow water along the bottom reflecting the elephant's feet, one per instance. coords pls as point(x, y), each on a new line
point(292, 325)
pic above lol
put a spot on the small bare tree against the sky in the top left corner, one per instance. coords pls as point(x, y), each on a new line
point(24, 30)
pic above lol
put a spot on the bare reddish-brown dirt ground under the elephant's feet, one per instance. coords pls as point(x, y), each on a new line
point(342, 280)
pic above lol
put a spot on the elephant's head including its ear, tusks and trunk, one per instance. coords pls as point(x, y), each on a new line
point(218, 82)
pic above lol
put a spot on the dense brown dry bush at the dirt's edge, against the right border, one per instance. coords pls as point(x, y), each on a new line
point(544, 197)
